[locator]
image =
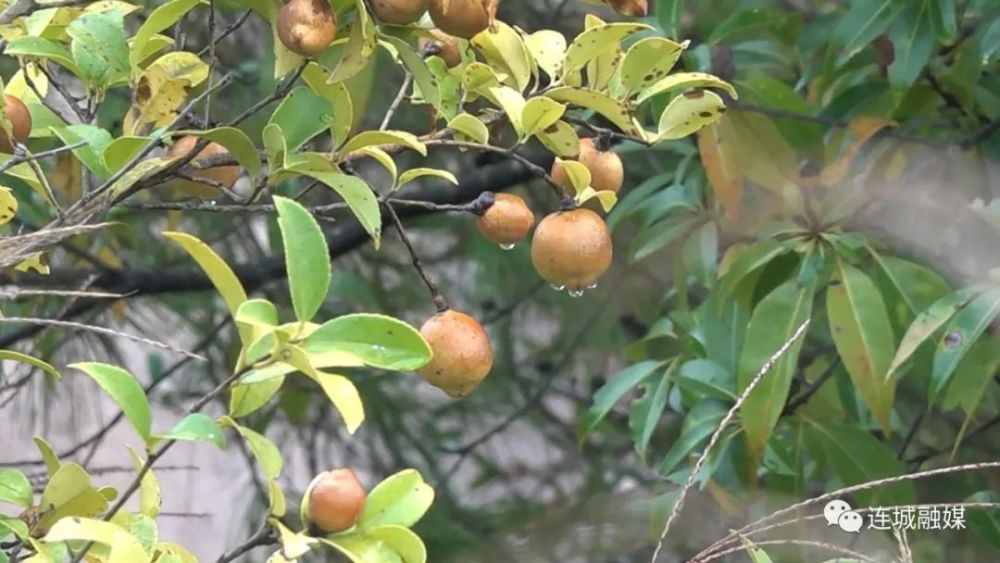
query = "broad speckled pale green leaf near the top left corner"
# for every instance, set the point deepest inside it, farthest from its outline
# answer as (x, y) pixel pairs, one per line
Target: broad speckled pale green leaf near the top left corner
(99, 48)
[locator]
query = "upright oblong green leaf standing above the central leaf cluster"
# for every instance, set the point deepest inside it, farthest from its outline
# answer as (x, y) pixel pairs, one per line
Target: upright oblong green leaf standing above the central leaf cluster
(306, 255)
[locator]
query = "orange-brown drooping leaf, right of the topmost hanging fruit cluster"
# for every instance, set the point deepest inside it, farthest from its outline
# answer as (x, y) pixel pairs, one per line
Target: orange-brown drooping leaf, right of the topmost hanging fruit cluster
(720, 157)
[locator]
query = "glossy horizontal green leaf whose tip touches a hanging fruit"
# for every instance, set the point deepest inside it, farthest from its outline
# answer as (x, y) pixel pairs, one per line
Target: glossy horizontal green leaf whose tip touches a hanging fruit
(380, 341)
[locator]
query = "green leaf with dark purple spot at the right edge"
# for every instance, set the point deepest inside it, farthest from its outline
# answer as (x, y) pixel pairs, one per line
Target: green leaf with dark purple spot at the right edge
(959, 336)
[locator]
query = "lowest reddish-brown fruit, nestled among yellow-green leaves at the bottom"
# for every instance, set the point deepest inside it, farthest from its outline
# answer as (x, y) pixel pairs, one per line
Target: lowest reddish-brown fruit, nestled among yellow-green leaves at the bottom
(336, 500)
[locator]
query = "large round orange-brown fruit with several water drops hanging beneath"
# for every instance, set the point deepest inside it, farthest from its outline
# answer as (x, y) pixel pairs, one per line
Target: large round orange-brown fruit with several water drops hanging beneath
(572, 249)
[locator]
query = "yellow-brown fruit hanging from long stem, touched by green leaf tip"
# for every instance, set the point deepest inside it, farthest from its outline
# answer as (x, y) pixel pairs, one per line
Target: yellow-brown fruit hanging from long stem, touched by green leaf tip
(463, 355)
